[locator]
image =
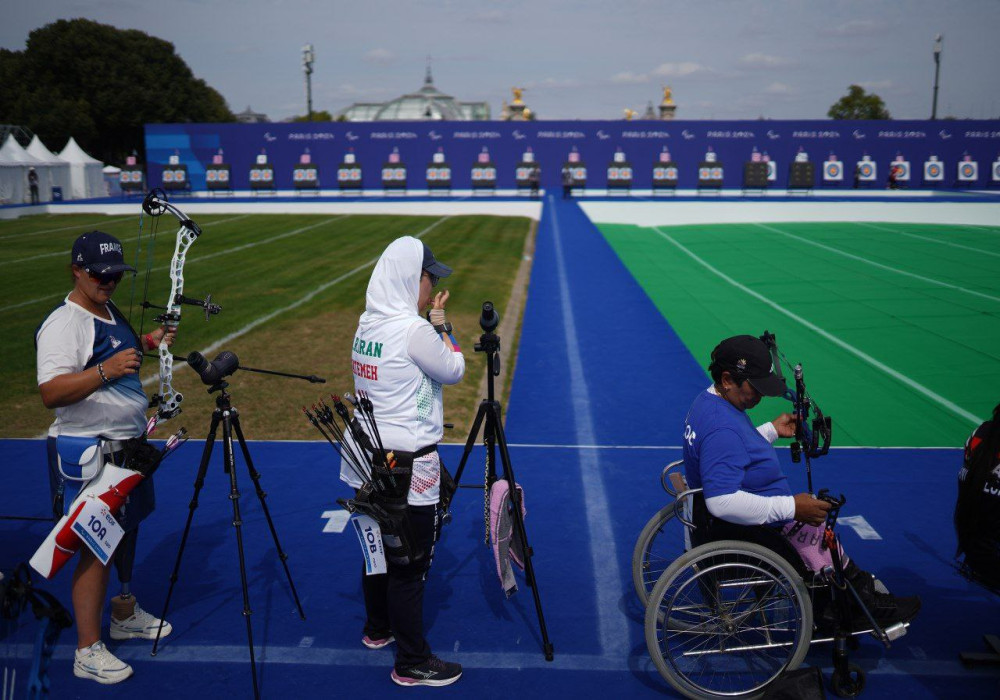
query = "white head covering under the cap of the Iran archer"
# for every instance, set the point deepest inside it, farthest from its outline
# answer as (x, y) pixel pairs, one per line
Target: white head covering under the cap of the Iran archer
(395, 282)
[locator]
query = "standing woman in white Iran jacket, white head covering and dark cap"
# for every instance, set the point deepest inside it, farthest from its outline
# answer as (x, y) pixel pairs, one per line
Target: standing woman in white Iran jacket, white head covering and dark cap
(401, 360)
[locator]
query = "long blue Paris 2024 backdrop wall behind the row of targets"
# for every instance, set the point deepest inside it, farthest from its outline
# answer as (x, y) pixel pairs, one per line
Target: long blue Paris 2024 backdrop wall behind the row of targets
(938, 154)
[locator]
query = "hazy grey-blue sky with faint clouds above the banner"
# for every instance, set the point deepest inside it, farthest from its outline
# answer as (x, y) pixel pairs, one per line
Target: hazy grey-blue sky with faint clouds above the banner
(576, 59)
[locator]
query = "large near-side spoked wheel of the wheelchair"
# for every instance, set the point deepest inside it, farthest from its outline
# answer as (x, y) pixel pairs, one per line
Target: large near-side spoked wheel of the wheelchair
(726, 619)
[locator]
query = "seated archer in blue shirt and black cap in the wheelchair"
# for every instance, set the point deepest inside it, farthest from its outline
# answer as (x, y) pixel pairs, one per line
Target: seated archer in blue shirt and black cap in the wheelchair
(745, 495)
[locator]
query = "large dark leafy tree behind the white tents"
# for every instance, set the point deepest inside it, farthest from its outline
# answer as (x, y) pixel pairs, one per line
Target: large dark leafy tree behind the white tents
(100, 84)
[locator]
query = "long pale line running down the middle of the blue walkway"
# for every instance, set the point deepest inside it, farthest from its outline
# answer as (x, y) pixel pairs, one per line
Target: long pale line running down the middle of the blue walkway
(603, 548)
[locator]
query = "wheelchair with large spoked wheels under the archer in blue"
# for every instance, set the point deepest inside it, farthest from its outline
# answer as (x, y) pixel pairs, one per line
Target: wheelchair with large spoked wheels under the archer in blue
(727, 618)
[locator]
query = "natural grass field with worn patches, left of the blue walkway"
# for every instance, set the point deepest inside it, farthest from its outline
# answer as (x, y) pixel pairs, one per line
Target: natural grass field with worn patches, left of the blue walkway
(291, 288)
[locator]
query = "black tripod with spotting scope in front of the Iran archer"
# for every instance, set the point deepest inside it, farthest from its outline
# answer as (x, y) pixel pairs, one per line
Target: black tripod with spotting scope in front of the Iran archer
(489, 417)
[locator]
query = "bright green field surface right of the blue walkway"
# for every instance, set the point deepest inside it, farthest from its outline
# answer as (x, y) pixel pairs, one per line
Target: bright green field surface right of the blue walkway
(898, 325)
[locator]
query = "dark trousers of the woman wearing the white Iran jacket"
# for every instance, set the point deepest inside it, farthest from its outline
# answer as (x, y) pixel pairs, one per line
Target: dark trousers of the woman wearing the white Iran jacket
(394, 601)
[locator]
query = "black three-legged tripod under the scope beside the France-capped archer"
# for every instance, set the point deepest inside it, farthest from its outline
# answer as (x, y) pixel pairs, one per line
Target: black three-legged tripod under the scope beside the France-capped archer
(229, 417)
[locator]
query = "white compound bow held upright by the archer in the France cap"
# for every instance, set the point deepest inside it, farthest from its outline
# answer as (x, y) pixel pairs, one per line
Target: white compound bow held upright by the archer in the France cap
(167, 400)
